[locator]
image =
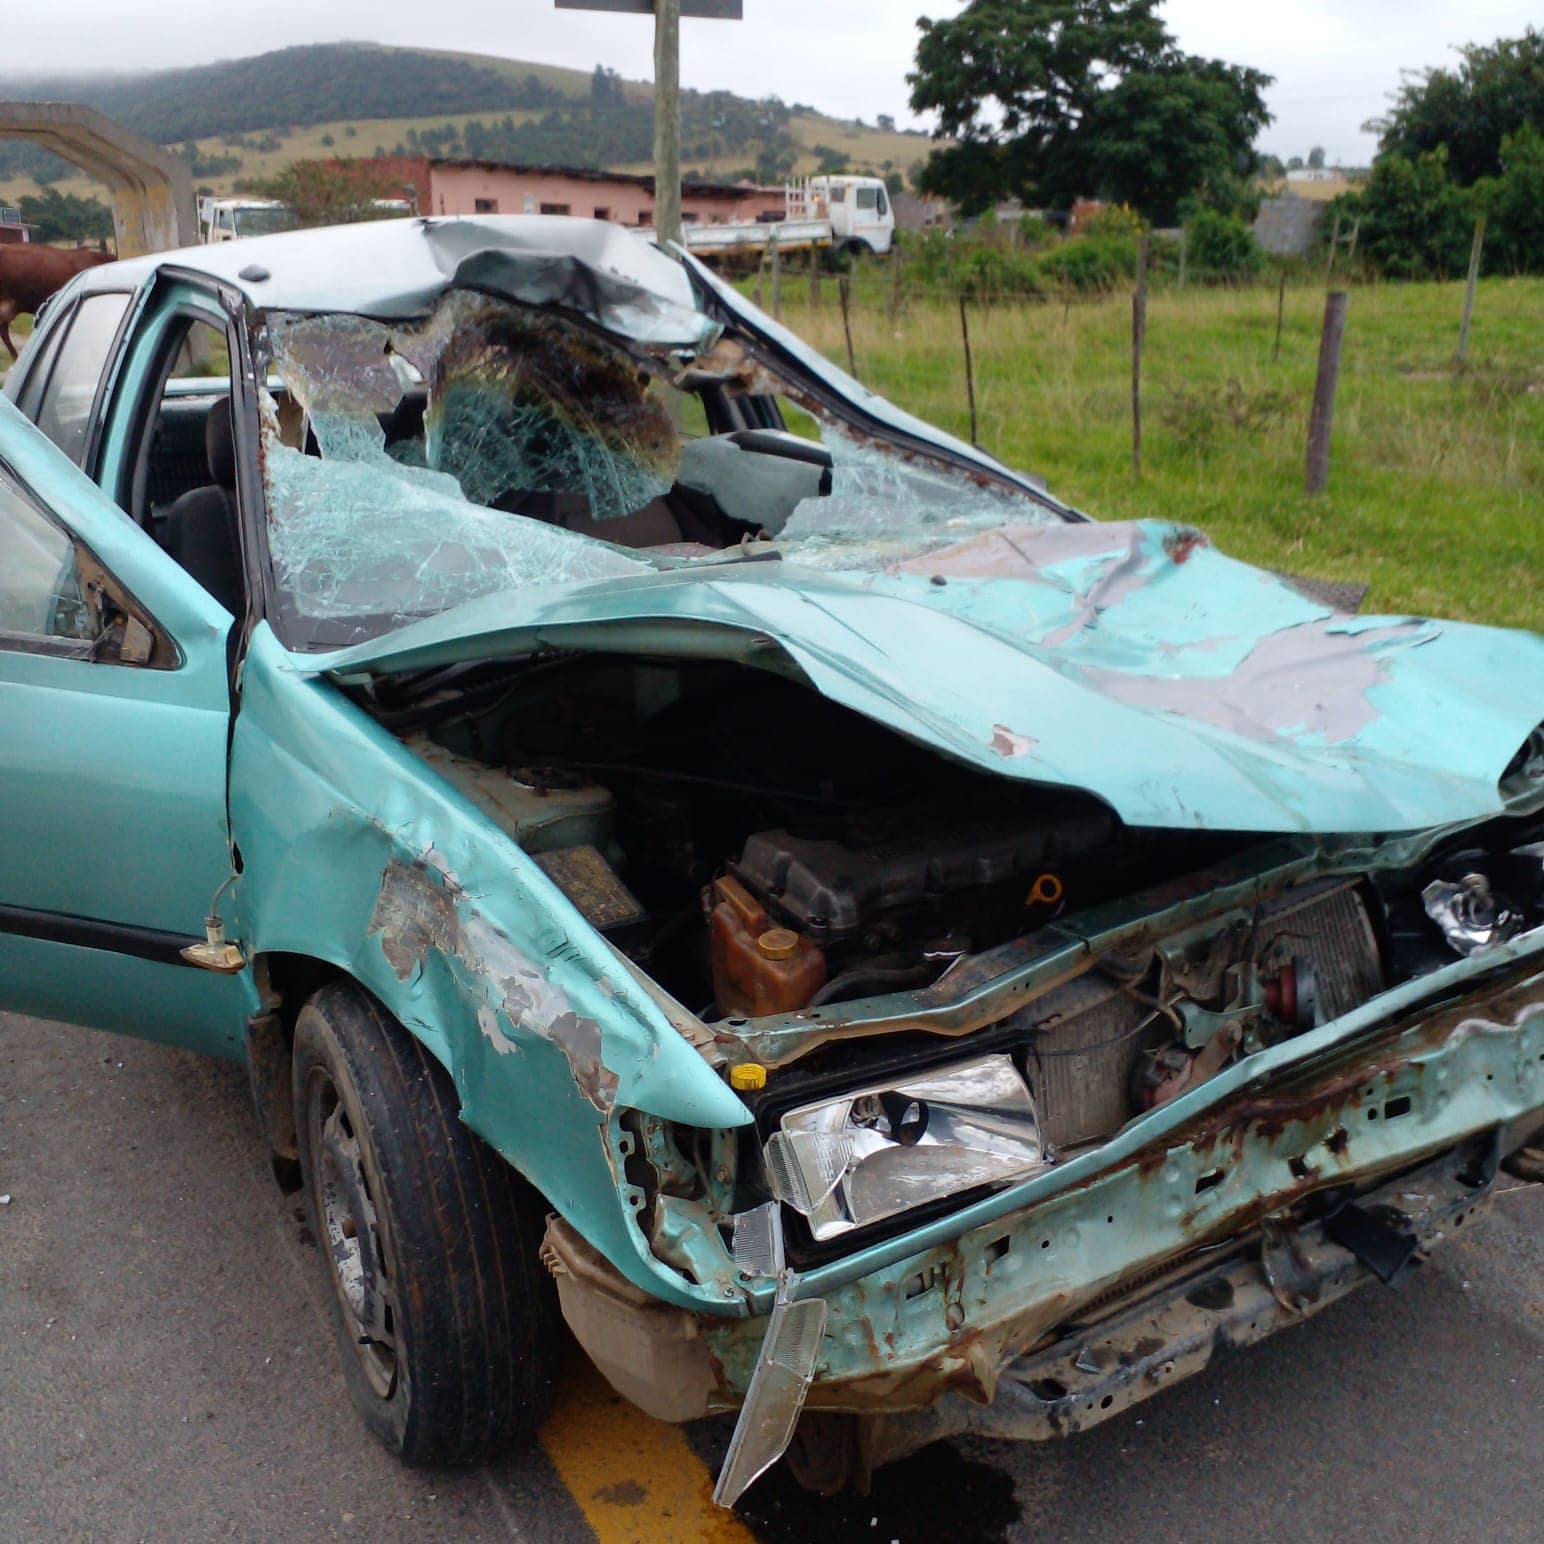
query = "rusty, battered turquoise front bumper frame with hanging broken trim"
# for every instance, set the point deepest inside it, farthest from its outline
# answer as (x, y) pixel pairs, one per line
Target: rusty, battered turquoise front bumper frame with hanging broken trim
(960, 1321)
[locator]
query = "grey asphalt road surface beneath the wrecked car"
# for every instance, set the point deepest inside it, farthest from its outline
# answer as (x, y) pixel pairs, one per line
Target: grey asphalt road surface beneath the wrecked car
(168, 1373)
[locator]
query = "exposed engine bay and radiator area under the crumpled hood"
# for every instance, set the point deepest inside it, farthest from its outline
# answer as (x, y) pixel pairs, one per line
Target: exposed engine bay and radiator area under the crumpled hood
(762, 852)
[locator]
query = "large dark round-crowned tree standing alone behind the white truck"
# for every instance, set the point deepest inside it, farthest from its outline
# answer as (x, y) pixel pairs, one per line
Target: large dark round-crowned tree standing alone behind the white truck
(1057, 100)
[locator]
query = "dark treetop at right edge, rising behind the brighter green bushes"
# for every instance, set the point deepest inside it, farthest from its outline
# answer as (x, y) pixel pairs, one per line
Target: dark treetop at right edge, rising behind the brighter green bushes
(1495, 92)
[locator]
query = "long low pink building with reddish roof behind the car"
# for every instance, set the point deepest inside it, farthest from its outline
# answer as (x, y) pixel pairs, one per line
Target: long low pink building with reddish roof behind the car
(496, 188)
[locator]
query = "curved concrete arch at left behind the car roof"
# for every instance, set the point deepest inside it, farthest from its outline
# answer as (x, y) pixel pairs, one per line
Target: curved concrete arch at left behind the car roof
(152, 189)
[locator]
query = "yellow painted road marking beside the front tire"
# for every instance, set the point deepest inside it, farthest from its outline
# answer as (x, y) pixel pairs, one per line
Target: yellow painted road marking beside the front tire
(637, 1480)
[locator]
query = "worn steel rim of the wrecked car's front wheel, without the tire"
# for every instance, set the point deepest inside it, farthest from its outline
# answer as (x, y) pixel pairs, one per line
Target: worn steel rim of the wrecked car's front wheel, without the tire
(345, 1188)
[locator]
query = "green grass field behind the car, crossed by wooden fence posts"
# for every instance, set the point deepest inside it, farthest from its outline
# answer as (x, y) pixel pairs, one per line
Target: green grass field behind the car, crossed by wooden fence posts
(1437, 486)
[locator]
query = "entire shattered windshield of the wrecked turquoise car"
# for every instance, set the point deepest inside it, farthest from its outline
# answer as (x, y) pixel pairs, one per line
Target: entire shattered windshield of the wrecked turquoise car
(496, 447)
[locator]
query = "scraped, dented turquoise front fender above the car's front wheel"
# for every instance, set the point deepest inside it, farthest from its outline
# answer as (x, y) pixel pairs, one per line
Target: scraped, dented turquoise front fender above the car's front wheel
(357, 855)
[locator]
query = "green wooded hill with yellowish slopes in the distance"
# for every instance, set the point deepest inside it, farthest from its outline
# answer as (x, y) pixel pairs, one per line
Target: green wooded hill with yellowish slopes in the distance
(245, 118)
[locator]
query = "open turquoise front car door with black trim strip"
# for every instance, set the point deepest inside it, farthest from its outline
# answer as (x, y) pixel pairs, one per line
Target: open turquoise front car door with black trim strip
(115, 717)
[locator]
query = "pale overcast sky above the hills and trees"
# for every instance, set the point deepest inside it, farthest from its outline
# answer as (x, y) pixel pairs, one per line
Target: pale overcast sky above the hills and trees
(1335, 61)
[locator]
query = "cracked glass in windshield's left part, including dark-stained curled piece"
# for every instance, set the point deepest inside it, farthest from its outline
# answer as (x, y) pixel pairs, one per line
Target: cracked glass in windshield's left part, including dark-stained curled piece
(436, 462)
